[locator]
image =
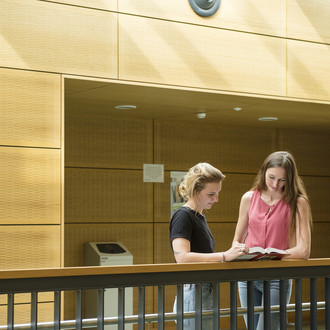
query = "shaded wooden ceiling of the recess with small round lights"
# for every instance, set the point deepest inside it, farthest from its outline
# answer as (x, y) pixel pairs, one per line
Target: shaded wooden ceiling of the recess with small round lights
(164, 103)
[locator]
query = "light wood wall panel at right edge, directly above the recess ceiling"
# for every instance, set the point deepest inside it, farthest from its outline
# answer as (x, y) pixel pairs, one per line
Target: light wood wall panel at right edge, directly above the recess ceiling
(308, 70)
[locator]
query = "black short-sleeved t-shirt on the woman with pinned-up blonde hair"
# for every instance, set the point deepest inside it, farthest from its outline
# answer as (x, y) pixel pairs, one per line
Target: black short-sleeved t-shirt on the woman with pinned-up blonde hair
(188, 224)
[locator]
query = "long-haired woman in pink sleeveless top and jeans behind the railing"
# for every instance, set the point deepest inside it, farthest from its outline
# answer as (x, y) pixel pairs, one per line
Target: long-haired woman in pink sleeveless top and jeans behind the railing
(274, 213)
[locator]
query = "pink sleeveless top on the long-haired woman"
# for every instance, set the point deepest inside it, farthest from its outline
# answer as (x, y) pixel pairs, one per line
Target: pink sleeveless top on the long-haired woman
(268, 225)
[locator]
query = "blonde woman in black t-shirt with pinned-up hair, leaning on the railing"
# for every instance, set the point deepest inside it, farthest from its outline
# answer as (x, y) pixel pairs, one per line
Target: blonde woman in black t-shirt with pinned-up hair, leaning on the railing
(190, 236)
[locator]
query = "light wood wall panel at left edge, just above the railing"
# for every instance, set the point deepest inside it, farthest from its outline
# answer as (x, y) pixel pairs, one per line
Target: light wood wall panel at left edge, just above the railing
(26, 247)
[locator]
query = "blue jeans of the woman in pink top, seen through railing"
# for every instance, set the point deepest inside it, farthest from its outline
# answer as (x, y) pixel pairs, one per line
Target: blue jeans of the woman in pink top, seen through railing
(258, 301)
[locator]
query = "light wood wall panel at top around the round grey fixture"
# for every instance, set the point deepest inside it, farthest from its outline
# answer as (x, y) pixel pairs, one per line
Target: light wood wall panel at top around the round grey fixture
(259, 16)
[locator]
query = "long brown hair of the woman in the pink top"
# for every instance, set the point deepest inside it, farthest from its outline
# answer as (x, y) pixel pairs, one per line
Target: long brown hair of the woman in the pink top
(294, 186)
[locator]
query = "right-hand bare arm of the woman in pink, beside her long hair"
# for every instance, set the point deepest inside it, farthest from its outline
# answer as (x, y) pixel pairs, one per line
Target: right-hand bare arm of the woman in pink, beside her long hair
(303, 232)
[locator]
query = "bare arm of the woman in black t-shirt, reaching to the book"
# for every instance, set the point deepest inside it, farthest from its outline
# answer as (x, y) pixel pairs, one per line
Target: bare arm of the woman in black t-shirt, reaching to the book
(182, 253)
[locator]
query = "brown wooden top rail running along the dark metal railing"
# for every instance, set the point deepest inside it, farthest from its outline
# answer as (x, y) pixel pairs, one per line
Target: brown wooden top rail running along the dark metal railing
(159, 268)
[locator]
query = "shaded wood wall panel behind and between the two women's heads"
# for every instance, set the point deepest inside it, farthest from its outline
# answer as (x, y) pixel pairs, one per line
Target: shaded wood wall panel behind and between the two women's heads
(226, 210)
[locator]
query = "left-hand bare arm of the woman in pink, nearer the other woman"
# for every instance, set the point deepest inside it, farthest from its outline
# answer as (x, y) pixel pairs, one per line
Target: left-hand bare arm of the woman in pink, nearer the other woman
(243, 218)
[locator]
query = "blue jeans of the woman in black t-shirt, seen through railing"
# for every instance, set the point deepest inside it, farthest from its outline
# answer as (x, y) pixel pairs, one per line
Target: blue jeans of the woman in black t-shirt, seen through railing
(189, 305)
